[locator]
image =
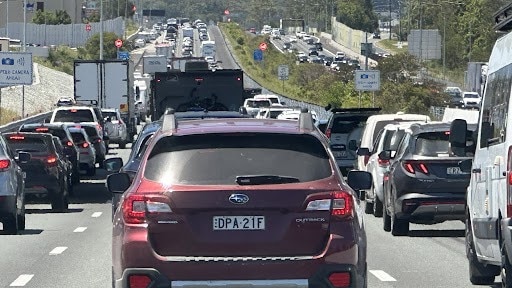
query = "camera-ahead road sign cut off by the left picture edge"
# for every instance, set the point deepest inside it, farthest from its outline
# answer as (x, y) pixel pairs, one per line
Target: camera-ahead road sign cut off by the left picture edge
(15, 68)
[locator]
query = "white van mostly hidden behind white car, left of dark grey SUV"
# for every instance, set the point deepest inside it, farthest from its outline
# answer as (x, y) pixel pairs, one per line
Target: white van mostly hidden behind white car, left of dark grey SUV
(372, 128)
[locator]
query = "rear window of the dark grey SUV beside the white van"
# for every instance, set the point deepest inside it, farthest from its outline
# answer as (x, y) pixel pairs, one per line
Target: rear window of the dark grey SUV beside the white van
(432, 144)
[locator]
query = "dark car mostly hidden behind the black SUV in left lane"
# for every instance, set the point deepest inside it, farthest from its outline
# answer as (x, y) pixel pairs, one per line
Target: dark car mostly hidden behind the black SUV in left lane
(70, 149)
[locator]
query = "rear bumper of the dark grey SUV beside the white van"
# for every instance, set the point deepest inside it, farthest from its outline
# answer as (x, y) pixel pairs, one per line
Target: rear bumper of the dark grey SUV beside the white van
(430, 209)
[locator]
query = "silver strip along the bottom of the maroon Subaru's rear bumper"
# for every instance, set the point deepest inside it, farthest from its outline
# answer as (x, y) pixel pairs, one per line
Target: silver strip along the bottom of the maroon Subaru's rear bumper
(287, 283)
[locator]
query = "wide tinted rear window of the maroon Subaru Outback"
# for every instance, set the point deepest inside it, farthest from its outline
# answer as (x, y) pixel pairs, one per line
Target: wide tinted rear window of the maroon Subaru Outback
(217, 159)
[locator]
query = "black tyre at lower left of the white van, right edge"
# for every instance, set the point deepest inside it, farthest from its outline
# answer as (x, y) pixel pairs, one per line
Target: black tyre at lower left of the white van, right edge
(478, 273)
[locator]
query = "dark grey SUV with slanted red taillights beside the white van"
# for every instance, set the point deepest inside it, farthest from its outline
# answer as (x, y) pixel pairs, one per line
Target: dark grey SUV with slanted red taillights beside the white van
(424, 182)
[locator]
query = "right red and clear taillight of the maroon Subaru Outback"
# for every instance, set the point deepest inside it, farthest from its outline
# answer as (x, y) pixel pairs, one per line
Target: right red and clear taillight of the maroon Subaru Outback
(339, 203)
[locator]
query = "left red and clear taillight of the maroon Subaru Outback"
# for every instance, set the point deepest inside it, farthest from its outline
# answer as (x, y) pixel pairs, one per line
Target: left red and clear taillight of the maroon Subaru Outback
(136, 208)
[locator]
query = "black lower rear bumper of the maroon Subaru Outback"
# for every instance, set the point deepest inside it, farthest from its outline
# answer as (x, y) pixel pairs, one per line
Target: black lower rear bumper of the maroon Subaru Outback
(320, 279)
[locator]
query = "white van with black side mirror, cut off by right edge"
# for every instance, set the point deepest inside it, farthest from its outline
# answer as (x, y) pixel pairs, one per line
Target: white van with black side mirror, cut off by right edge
(489, 194)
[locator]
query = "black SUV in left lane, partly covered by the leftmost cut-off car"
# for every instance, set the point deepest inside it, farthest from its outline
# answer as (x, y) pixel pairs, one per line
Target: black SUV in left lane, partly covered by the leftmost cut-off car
(46, 170)
